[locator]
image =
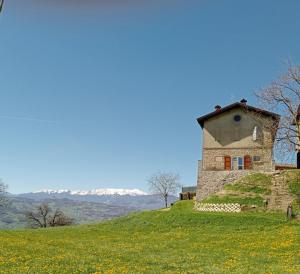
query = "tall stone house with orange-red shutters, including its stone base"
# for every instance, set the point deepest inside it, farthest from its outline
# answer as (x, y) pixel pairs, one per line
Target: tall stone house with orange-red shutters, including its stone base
(237, 139)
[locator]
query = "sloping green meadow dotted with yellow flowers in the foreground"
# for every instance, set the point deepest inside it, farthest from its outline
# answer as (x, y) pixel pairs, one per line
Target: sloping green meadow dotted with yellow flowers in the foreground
(176, 241)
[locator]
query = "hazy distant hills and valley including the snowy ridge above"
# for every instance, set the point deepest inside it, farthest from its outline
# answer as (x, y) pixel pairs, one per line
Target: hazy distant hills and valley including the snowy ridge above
(83, 206)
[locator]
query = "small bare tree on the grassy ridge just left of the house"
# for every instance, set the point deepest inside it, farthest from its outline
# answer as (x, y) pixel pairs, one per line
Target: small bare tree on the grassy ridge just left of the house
(164, 184)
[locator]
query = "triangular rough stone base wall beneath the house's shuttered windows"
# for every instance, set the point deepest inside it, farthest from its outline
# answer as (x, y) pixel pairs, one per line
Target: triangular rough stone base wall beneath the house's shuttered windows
(209, 182)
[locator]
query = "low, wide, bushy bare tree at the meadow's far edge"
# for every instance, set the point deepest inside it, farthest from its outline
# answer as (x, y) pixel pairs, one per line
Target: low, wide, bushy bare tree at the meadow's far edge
(43, 217)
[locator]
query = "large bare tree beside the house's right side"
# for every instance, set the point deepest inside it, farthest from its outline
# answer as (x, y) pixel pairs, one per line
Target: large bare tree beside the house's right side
(283, 97)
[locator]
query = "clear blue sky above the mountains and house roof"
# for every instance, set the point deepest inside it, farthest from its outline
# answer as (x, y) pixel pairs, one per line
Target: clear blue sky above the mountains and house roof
(104, 93)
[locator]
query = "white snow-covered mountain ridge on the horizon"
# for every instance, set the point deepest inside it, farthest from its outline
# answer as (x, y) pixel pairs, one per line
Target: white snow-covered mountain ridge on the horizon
(98, 192)
